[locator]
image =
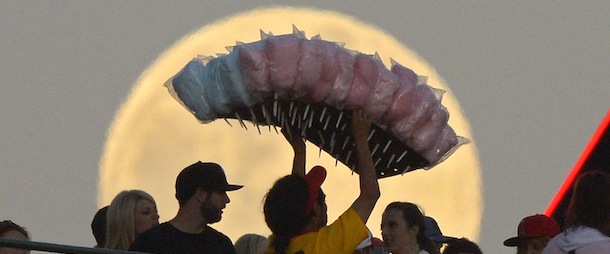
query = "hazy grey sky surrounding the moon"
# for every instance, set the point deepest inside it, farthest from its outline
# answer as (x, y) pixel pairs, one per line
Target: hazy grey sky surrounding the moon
(531, 77)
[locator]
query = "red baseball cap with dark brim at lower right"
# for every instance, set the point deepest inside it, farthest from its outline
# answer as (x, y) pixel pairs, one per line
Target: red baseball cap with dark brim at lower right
(534, 226)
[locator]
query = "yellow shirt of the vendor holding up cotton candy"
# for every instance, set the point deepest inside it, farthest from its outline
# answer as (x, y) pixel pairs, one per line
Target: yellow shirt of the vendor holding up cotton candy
(342, 236)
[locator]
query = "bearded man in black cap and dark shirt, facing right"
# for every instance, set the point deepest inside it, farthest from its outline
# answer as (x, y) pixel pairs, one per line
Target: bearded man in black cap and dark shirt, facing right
(201, 191)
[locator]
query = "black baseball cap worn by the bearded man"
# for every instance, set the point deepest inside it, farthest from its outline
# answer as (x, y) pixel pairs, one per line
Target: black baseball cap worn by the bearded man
(207, 175)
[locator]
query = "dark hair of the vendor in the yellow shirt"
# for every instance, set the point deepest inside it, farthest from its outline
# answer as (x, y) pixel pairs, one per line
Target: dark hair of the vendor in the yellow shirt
(284, 210)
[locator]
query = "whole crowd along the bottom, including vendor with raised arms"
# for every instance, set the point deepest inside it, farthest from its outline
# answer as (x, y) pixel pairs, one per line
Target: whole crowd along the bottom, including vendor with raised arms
(295, 211)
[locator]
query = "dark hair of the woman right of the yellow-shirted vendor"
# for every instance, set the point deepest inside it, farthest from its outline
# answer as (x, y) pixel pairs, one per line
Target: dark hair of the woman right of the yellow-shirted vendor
(414, 217)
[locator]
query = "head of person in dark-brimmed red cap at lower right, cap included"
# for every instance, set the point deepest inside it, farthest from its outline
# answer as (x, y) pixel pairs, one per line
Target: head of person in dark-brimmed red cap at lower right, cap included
(533, 233)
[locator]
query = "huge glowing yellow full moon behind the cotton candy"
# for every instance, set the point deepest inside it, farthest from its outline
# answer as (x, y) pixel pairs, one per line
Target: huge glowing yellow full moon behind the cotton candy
(153, 137)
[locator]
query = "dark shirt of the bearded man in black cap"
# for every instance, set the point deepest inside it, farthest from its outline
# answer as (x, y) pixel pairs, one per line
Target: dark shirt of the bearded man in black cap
(166, 239)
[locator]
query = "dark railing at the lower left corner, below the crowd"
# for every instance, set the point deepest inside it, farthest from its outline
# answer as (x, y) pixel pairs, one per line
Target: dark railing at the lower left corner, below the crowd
(58, 248)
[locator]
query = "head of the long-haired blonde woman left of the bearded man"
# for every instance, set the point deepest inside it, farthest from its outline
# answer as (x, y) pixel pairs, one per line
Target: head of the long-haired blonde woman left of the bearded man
(130, 213)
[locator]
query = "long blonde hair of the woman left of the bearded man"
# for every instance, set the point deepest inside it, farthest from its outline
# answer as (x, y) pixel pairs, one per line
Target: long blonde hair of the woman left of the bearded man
(120, 231)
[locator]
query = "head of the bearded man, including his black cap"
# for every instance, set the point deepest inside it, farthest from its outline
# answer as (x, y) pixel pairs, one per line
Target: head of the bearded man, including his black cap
(205, 185)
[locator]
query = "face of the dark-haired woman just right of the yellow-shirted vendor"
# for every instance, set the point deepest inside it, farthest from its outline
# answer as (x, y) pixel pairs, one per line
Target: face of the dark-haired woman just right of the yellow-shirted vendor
(397, 235)
